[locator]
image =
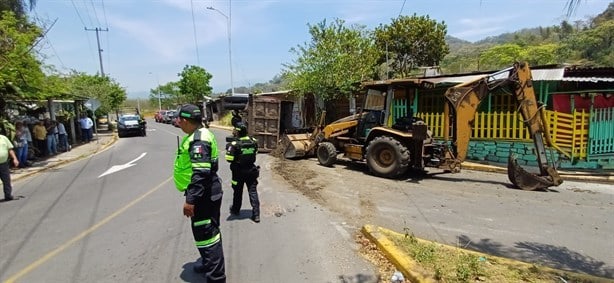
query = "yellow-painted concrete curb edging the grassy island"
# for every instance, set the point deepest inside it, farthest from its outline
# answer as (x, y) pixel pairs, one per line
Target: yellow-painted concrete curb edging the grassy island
(408, 266)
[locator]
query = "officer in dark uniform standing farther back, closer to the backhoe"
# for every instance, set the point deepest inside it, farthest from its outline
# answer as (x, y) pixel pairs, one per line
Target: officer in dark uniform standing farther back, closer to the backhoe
(241, 153)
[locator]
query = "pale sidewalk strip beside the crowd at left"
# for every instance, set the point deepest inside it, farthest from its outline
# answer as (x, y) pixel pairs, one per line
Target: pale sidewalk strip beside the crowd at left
(80, 150)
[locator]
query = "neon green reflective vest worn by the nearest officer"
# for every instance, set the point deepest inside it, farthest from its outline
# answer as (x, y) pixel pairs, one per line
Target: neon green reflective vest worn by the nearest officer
(182, 173)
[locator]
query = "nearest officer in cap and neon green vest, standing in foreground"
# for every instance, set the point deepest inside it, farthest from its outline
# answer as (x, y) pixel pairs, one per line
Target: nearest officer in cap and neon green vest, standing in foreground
(195, 175)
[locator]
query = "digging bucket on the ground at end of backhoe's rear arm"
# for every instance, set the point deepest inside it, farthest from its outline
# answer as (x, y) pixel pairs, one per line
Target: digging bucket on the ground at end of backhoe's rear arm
(528, 181)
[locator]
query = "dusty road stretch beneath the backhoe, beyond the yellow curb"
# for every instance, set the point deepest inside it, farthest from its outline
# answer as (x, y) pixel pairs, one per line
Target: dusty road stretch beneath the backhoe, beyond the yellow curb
(569, 227)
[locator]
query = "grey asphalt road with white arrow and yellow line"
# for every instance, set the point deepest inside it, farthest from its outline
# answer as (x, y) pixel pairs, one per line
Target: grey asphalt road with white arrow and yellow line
(116, 217)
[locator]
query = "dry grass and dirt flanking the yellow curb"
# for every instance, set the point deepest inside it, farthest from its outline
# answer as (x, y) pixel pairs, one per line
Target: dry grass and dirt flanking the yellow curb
(442, 263)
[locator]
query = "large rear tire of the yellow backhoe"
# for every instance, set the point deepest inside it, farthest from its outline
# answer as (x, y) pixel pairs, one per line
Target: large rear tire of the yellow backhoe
(387, 157)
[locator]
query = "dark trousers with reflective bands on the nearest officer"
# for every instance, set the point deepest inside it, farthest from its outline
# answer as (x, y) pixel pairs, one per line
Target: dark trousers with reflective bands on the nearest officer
(212, 254)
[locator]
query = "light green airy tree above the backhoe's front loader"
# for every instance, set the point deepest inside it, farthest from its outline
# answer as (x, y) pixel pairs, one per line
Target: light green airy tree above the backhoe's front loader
(331, 65)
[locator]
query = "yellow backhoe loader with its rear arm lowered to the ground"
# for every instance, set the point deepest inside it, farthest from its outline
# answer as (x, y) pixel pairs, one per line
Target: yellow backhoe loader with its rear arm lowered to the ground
(391, 149)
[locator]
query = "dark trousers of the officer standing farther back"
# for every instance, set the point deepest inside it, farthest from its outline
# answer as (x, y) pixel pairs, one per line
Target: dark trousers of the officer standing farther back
(247, 177)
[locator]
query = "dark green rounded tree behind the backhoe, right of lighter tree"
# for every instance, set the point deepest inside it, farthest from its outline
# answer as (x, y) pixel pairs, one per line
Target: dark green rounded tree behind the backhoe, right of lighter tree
(412, 42)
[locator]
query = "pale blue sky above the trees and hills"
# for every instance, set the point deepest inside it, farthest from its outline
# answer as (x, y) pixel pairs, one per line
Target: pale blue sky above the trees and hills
(150, 41)
